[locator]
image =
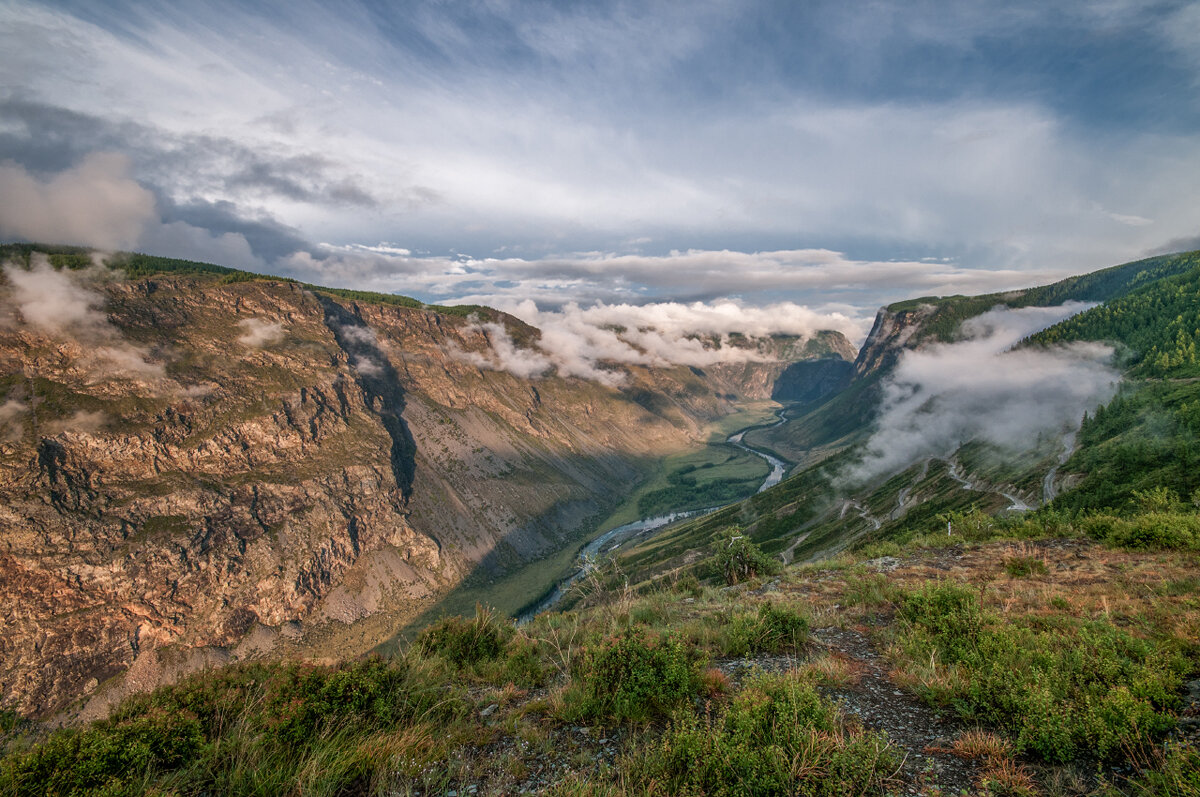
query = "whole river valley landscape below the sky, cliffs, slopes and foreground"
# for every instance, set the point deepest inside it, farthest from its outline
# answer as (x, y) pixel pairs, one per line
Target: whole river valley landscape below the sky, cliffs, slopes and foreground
(346, 517)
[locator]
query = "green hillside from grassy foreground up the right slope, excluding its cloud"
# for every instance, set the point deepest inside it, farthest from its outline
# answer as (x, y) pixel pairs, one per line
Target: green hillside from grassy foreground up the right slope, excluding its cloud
(909, 637)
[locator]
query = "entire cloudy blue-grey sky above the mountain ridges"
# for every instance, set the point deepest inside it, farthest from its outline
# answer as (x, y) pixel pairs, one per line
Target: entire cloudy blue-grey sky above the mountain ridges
(827, 154)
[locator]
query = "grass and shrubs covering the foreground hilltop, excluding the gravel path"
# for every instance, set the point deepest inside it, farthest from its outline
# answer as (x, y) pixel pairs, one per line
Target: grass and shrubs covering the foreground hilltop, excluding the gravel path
(1072, 667)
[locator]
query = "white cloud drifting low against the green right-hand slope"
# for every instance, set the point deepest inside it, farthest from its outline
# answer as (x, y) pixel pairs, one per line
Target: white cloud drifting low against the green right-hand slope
(983, 389)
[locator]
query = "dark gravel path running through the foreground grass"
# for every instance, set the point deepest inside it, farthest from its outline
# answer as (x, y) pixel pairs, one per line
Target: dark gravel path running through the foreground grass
(916, 730)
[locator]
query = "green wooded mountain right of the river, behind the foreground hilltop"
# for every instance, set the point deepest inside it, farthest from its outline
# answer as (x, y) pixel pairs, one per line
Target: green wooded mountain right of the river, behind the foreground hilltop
(1144, 440)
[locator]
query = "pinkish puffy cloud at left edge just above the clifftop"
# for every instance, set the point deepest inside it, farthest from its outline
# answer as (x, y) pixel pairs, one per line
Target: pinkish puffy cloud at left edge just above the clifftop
(93, 205)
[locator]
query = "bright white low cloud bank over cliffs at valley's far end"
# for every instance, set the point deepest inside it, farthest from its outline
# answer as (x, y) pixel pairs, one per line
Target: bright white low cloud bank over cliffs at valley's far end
(587, 341)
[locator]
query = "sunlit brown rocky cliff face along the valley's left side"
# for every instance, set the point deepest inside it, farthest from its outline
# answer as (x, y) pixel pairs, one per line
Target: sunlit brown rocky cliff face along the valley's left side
(194, 465)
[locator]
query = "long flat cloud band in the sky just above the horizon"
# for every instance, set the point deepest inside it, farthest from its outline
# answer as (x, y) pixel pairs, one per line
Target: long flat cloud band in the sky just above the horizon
(823, 277)
